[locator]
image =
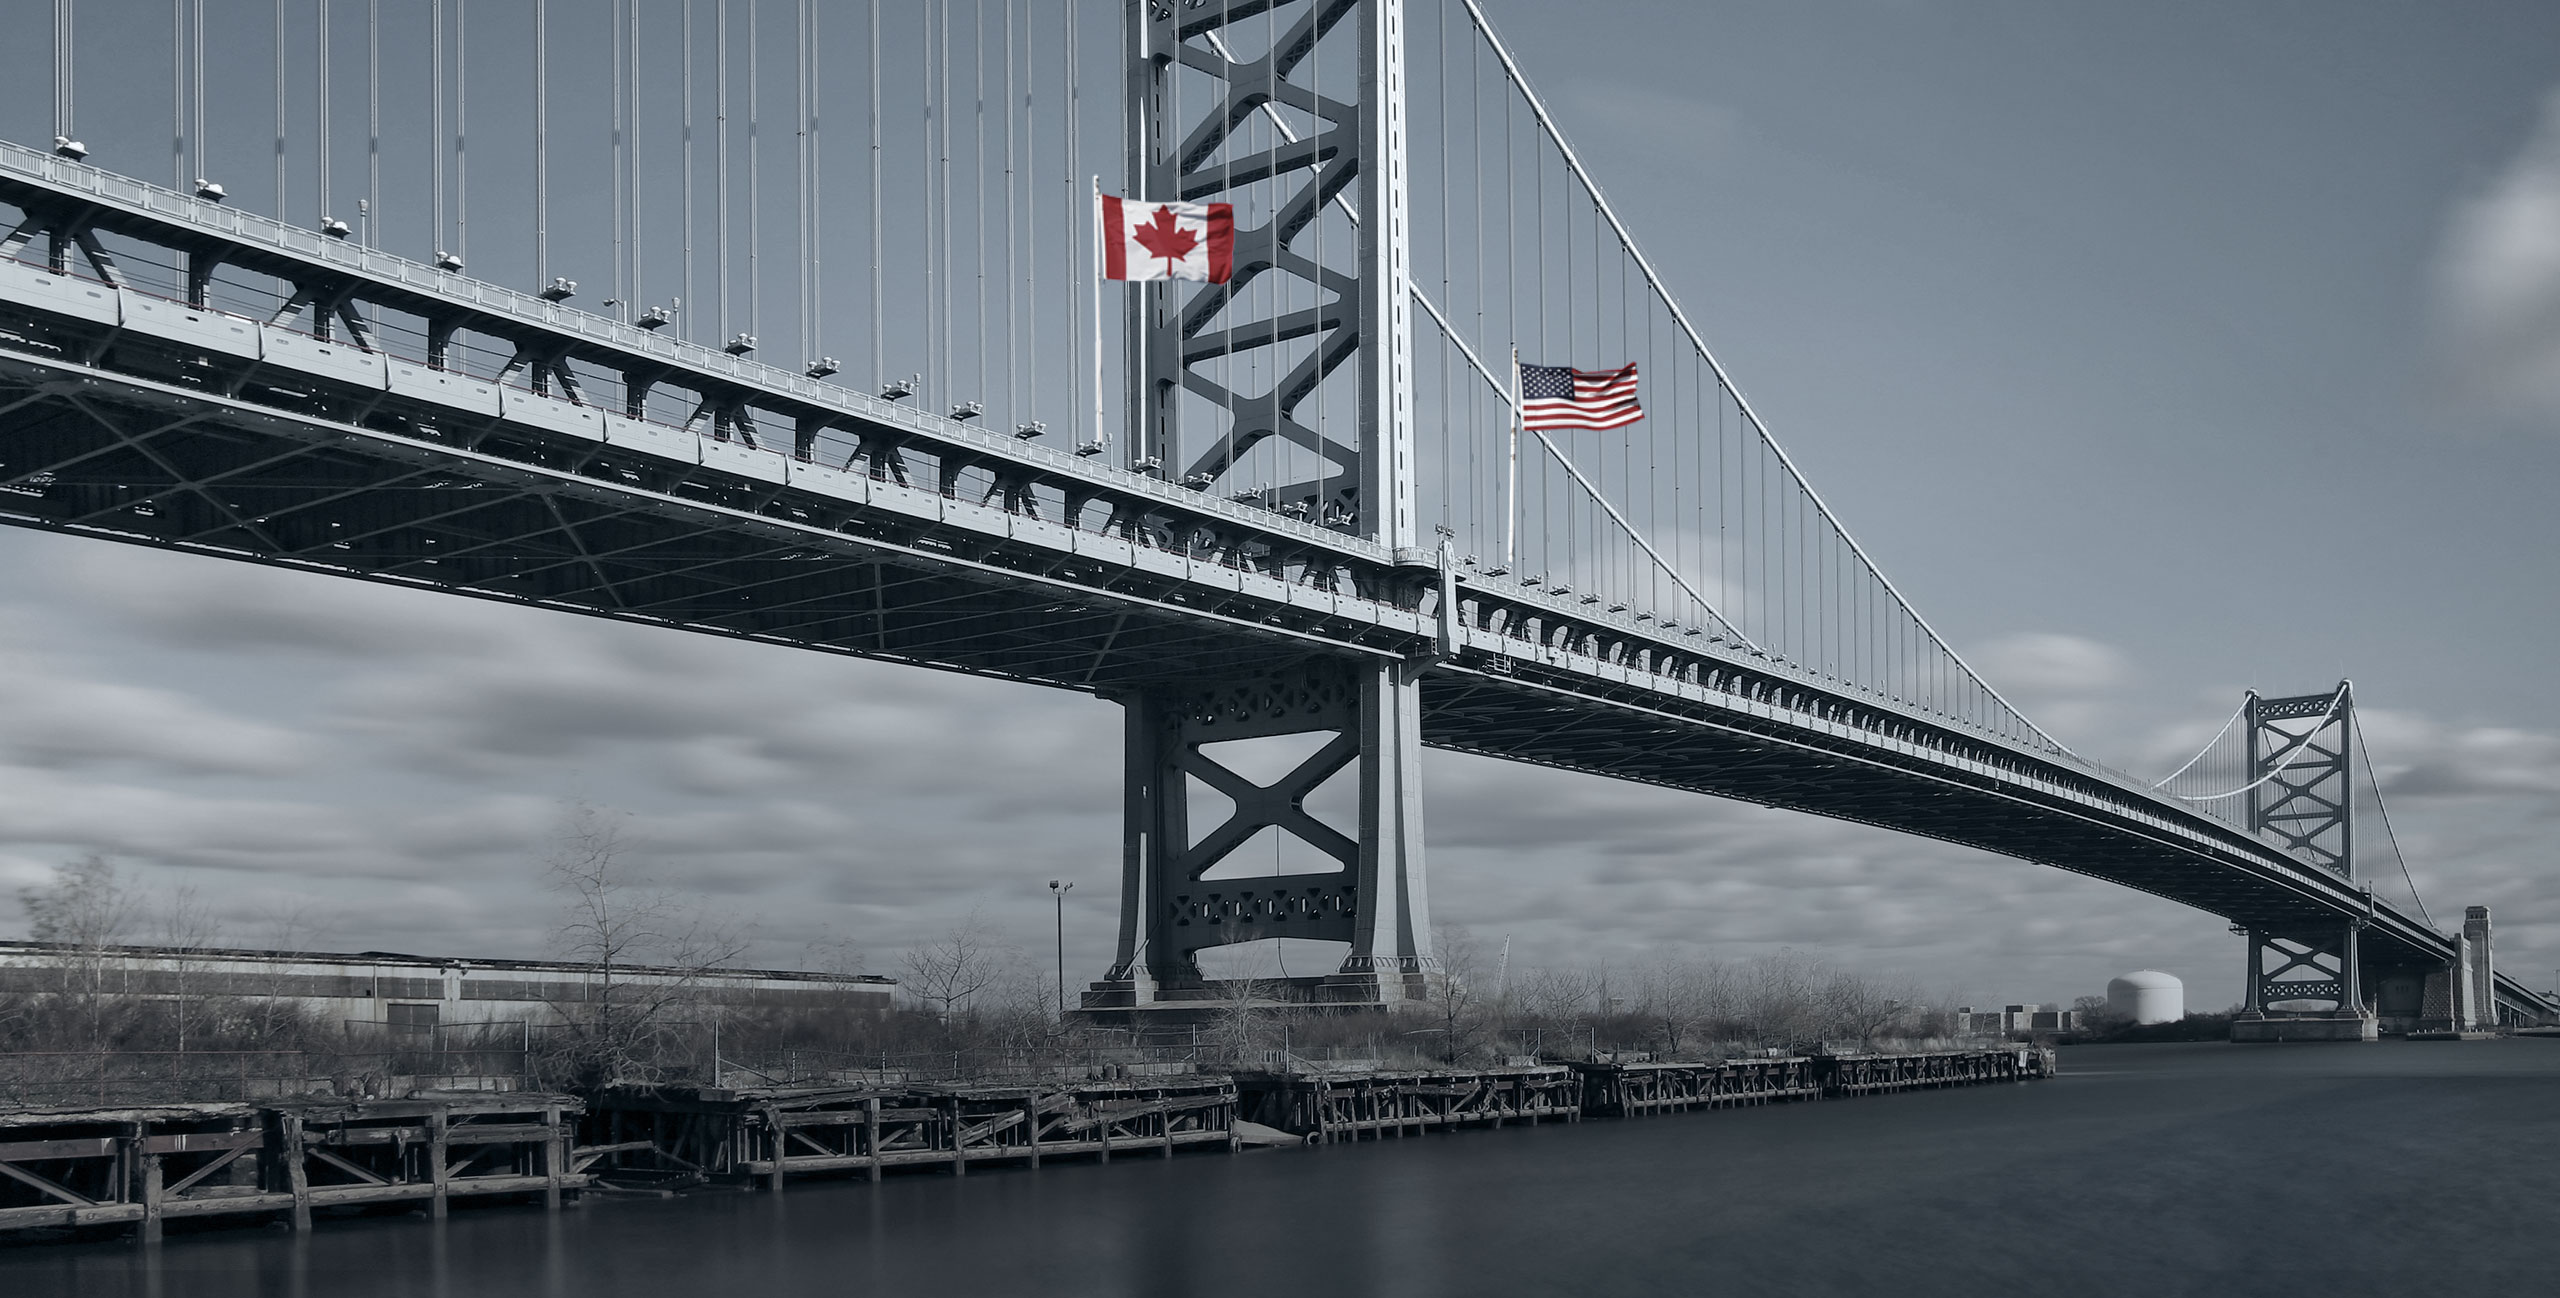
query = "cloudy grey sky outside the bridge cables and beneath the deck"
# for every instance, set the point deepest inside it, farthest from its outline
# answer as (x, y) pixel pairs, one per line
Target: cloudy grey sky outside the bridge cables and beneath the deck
(2159, 352)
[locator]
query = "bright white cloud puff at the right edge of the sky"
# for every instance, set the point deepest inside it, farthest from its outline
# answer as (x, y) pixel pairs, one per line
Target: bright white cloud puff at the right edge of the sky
(2500, 283)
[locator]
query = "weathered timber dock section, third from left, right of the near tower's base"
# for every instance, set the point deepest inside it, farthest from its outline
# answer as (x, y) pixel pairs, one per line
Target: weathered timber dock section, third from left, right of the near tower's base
(1330, 1107)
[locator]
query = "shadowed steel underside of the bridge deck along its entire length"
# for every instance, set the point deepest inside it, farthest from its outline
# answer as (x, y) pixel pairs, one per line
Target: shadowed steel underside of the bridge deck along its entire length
(355, 485)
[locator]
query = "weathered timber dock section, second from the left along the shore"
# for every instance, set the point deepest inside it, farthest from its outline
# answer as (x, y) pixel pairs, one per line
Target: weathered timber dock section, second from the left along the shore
(769, 1133)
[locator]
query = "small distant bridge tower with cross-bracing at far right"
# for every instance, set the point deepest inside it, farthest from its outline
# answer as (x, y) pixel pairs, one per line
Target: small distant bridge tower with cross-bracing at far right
(2303, 797)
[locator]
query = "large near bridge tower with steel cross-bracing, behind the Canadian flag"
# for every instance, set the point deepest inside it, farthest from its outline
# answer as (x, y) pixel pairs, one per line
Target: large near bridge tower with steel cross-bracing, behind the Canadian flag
(1222, 111)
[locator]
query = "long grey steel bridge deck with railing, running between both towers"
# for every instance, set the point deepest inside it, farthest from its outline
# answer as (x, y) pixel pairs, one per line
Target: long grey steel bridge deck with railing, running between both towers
(897, 536)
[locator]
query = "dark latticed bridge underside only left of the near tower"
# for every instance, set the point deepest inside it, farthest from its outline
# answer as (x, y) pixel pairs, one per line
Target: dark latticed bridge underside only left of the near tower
(211, 477)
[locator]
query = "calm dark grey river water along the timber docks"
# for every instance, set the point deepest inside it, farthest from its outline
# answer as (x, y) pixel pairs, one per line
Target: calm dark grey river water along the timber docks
(2144, 1171)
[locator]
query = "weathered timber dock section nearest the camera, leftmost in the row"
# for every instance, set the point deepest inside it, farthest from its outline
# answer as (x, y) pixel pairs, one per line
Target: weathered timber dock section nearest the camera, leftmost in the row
(283, 1158)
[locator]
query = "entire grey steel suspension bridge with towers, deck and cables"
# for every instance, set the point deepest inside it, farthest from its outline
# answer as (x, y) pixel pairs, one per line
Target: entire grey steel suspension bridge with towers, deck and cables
(787, 321)
